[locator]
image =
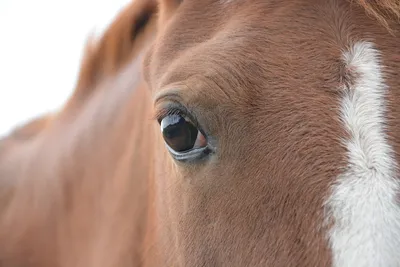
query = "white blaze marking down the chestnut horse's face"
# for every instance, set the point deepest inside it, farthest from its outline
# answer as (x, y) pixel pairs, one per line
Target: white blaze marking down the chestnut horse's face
(363, 206)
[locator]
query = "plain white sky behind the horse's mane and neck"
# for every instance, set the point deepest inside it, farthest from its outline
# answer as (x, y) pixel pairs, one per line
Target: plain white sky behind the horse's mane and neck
(41, 44)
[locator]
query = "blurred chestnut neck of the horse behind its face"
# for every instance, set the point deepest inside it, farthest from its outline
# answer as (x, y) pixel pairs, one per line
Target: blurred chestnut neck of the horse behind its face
(85, 181)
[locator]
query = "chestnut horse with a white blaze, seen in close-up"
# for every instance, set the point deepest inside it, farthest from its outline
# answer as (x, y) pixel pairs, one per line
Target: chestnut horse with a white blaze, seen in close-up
(218, 133)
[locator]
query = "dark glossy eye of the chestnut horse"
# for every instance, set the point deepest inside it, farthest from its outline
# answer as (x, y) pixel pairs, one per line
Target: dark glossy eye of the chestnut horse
(180, 134)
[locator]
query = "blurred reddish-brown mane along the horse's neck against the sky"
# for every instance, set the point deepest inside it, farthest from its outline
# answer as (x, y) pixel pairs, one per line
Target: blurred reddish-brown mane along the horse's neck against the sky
(121, 42)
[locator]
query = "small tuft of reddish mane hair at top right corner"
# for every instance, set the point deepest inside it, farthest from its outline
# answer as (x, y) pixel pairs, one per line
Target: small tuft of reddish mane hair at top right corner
(382, 10)
